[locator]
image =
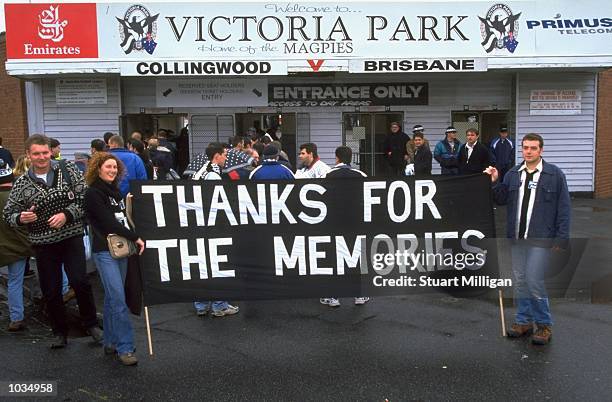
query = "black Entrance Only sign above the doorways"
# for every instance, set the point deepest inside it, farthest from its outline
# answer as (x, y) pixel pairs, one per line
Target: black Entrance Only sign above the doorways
(350, 94)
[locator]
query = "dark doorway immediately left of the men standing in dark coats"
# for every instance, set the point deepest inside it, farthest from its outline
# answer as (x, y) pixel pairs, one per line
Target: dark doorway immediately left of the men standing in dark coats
(365, 134)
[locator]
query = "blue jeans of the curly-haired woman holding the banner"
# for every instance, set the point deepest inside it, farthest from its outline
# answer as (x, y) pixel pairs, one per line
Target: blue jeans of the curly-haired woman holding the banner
(118, 330)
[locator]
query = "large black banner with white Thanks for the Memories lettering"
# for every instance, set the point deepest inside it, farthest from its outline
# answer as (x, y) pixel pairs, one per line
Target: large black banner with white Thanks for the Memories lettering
(212, 240)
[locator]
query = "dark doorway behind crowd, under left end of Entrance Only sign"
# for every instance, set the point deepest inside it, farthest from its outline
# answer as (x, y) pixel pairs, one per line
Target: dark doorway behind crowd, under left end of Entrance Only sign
(284, 124)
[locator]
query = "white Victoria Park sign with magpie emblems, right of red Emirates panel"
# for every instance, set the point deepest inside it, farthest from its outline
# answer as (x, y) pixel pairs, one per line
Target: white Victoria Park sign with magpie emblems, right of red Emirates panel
(313, 31)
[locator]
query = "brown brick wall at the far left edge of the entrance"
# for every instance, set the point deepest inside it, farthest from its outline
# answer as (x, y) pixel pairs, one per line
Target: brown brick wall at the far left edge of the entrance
(13, 111)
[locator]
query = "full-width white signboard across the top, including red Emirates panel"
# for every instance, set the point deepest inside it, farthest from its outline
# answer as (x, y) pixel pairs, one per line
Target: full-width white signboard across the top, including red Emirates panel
(160, 37)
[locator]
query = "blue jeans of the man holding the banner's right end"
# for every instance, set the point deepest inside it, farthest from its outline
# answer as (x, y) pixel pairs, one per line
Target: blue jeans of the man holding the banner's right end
(529, 265)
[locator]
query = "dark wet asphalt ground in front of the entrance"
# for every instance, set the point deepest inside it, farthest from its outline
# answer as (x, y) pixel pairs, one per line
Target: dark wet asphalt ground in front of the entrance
(425, 347)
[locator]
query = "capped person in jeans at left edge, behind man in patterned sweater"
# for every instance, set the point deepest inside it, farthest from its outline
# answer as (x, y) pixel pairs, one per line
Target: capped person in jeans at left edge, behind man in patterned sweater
(15, 250)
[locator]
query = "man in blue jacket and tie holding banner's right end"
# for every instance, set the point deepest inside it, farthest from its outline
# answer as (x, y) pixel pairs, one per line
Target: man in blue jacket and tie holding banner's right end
(538, 219)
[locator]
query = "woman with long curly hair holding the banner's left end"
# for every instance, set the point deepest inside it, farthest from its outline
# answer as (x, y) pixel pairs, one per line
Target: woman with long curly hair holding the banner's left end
(106, 214)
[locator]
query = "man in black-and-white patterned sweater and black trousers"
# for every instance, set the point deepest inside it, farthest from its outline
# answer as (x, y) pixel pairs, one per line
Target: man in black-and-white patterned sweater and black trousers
(48, 201)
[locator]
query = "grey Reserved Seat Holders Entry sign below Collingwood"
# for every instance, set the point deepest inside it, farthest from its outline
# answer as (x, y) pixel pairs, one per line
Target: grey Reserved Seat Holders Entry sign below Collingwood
(211, 92)
